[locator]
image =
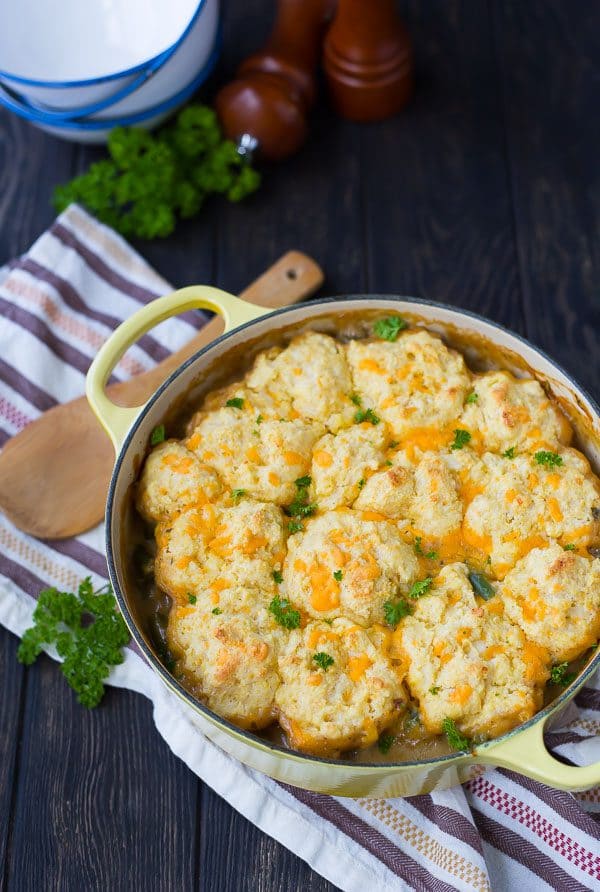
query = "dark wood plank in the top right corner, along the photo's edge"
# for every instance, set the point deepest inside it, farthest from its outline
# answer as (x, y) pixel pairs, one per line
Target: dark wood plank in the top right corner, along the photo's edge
(548, 54)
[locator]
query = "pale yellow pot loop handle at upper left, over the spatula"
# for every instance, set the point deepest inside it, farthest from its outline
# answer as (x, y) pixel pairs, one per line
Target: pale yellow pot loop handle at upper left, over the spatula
(117, 420)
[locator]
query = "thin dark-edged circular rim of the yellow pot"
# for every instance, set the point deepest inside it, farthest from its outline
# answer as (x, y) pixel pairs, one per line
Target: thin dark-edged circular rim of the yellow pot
(214, 717)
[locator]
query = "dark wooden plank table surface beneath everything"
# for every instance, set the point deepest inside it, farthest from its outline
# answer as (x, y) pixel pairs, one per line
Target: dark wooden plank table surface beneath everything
(485, 194)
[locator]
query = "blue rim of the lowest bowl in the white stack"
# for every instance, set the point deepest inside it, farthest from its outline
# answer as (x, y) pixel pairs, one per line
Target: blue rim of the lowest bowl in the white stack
(42, 118)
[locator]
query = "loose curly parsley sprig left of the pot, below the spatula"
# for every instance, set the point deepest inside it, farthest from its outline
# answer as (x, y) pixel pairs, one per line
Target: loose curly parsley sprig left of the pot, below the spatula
(89, 634)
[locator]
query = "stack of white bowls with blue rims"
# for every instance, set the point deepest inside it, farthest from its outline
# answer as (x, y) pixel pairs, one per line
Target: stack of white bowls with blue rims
(78, 70)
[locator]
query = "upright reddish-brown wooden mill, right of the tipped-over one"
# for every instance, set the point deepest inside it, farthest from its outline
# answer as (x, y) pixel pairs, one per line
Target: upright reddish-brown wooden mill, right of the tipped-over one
(368, 60)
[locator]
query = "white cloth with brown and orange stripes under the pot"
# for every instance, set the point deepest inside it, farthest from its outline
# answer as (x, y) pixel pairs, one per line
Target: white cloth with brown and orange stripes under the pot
(501, 831)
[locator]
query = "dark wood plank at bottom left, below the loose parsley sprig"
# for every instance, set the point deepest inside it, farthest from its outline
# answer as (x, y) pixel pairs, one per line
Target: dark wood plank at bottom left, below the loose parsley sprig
(101, 802)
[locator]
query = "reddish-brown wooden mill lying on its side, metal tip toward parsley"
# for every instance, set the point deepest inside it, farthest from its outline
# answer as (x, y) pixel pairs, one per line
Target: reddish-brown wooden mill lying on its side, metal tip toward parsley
(266, 107)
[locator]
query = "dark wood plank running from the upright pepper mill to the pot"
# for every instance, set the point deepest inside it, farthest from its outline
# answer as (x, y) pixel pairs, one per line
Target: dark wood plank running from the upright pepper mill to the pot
(437, 203)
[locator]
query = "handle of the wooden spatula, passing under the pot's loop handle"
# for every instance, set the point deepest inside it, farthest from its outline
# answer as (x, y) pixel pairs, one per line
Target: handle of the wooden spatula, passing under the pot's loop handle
(291, 278)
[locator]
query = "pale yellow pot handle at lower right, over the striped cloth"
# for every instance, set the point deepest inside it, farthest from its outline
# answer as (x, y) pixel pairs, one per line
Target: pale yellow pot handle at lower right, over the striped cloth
(526, 753)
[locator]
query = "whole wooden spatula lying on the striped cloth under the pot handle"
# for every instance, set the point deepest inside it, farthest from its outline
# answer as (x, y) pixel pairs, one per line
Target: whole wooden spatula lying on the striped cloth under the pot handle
(54, 474)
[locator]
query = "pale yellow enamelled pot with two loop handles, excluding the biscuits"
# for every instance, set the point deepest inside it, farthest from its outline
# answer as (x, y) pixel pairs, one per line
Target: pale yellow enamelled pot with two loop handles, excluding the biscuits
(246, 325)
